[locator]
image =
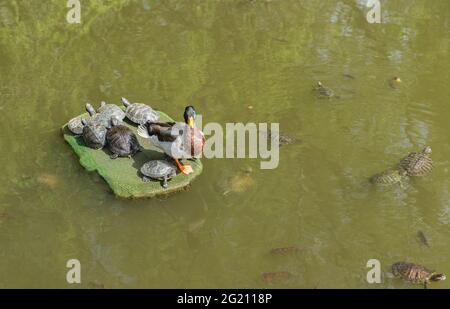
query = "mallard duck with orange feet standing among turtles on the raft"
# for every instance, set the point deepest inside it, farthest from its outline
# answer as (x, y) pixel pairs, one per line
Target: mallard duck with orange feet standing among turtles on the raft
(177, 139)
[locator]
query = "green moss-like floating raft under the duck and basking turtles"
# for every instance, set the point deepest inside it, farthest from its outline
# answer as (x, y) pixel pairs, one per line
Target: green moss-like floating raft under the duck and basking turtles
(122, 174)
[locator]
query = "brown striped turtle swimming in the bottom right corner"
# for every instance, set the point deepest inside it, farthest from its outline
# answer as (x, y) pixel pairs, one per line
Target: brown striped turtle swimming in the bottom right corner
(415, 273)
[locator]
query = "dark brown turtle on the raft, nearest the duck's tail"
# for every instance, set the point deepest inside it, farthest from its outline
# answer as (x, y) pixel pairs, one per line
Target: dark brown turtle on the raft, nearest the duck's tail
(122, 142)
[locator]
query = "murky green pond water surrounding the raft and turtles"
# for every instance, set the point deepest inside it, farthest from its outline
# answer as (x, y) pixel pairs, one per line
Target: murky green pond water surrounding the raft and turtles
(223, 56)
